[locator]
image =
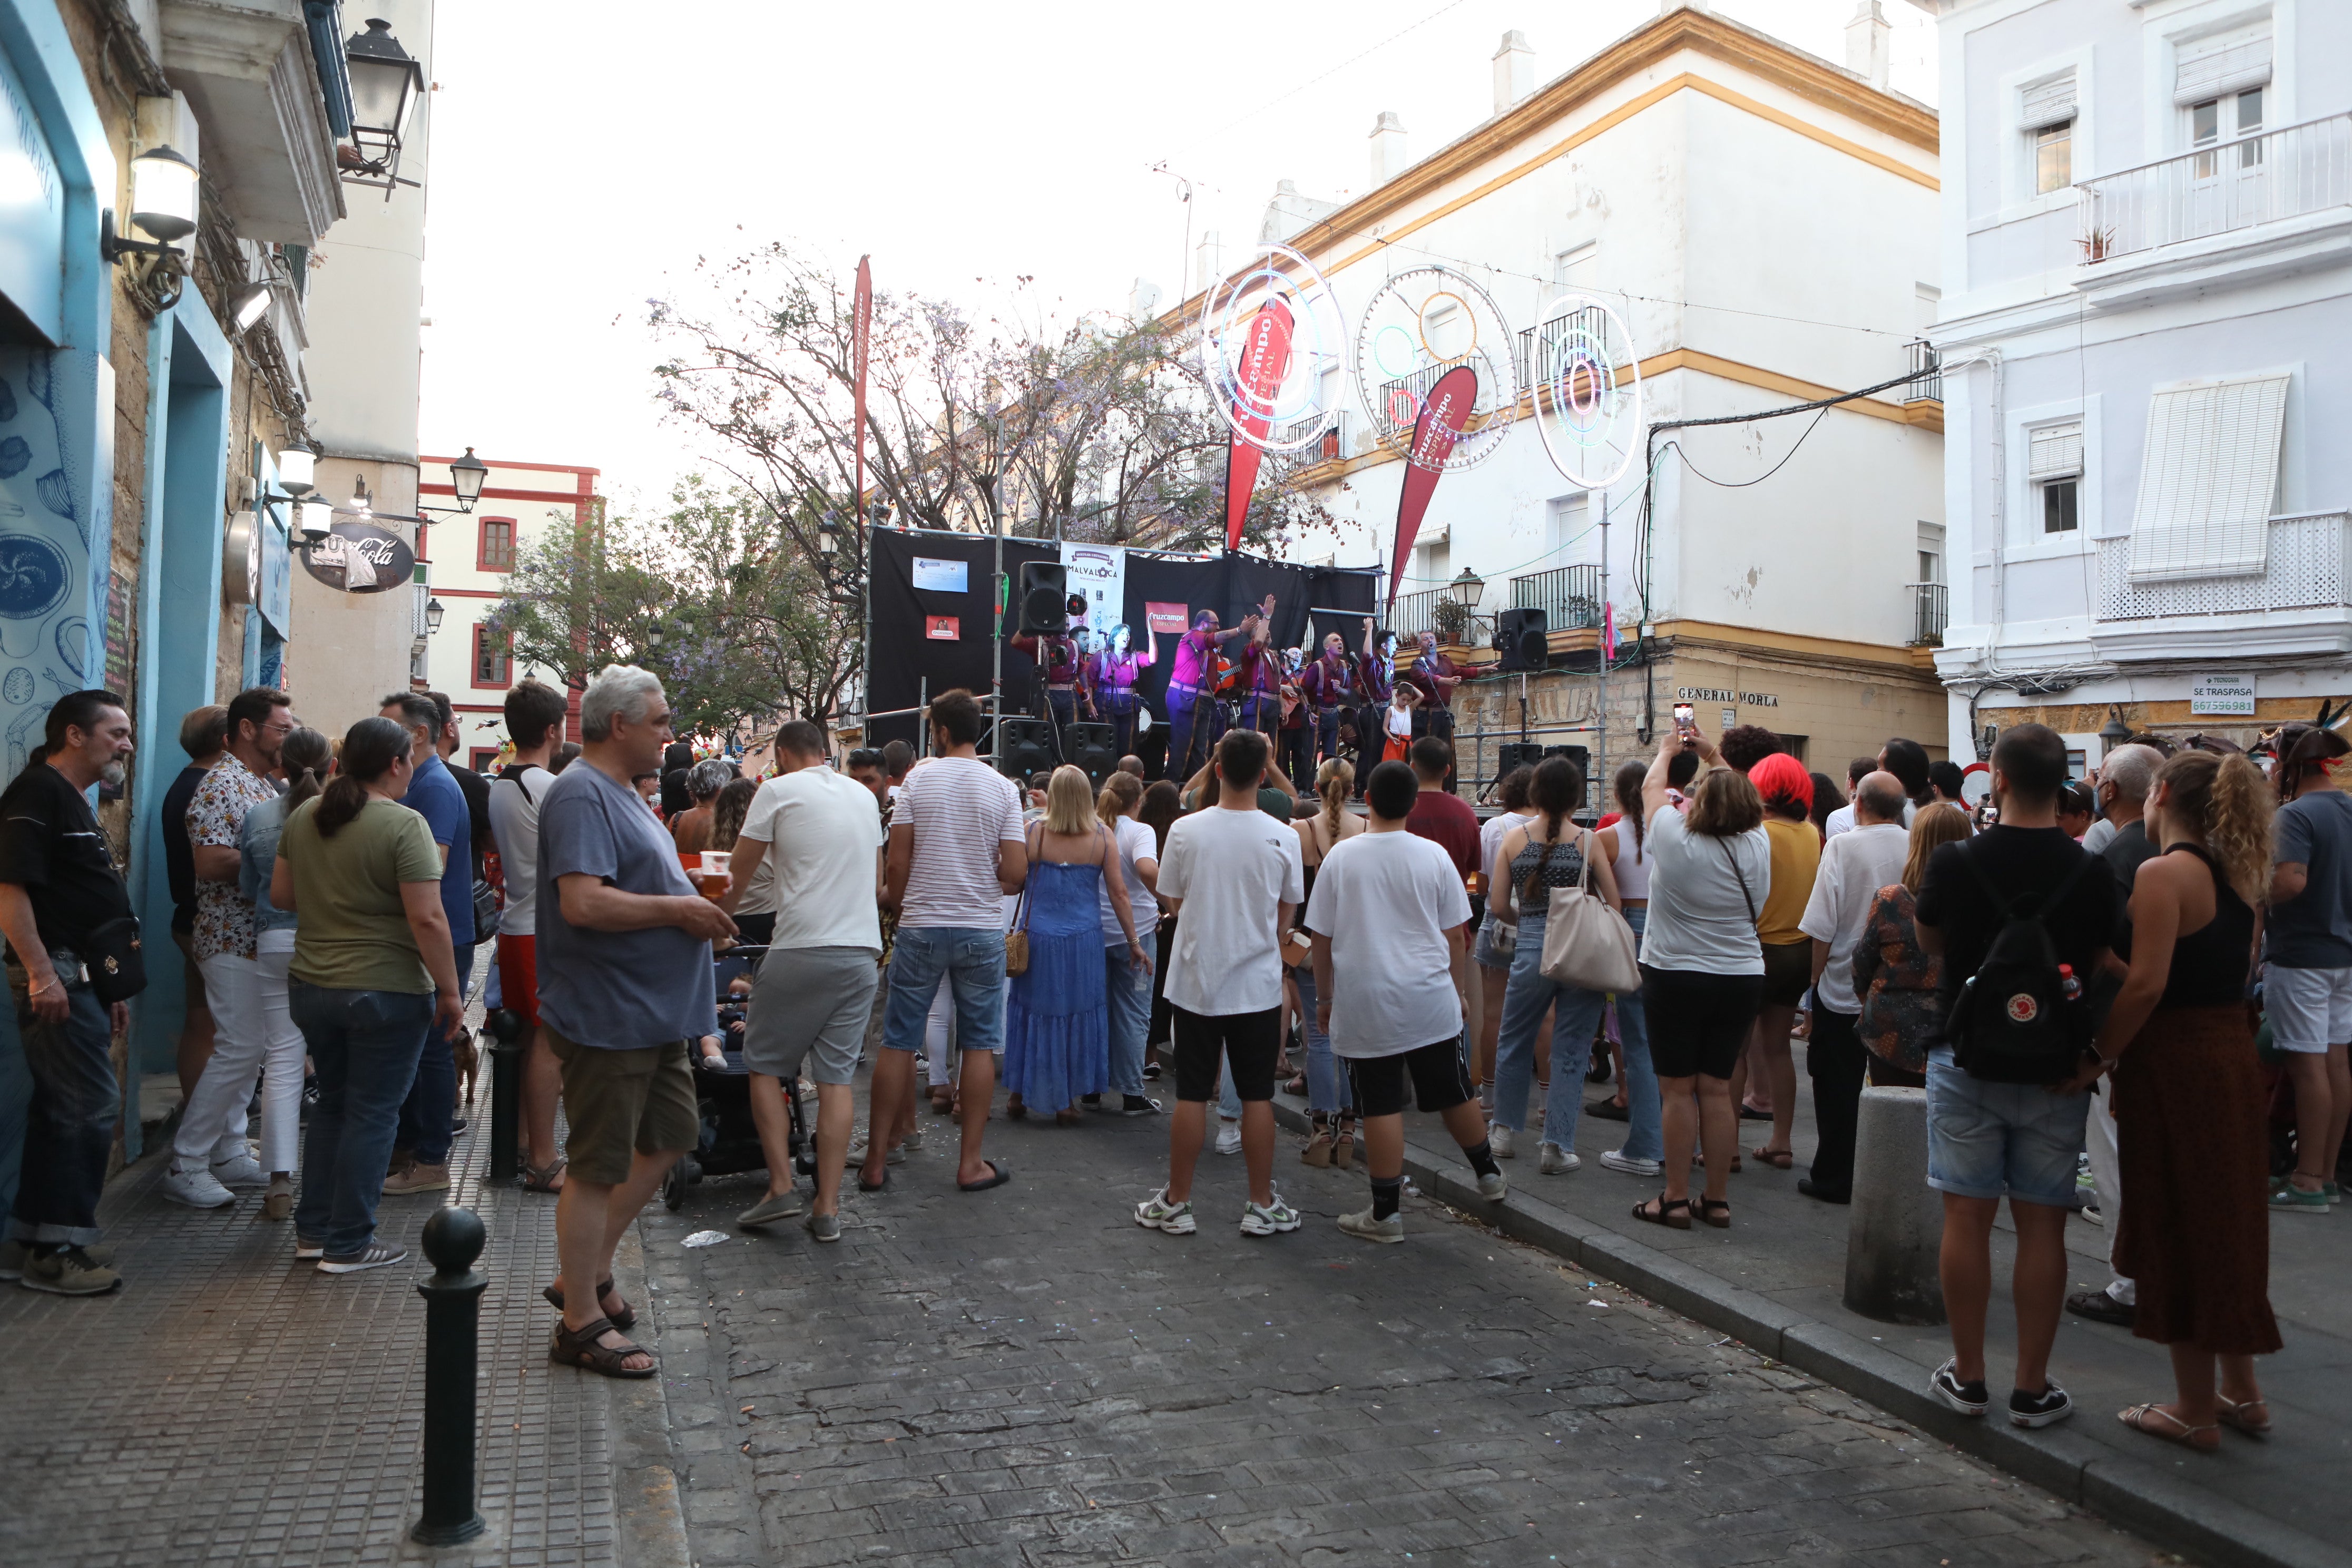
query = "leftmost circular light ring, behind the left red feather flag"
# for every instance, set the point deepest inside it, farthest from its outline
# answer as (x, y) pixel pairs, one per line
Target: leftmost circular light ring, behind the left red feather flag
(1318, 342)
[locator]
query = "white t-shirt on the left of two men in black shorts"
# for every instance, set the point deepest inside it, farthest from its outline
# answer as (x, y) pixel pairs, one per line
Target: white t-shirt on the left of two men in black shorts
(1234, 871)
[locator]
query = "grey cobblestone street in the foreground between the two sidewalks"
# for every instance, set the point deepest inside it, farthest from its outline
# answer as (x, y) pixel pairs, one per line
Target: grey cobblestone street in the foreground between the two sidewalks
(1031, 1379)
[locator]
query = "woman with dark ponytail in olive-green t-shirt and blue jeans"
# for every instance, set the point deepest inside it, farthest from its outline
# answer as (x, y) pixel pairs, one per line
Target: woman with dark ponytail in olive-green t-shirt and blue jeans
(373, 972)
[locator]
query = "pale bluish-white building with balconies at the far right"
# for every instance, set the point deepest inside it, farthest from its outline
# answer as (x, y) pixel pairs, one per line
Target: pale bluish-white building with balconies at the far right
(2146, 321)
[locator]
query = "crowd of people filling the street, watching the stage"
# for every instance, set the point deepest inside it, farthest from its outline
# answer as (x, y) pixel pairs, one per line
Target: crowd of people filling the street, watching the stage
(2069, 972)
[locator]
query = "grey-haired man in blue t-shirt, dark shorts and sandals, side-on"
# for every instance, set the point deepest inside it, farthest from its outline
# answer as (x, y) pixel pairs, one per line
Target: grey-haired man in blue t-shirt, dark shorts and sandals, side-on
(624, 984)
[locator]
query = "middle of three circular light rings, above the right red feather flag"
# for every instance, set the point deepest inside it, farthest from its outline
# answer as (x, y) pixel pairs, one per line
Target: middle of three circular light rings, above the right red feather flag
(1396, 366)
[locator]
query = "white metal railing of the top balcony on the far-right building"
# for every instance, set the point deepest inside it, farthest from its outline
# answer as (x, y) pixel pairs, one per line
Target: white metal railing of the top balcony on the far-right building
(2219, 189)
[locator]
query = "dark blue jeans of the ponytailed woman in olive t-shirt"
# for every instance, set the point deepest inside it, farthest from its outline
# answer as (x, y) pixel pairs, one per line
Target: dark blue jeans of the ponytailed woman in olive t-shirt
(366, 1050)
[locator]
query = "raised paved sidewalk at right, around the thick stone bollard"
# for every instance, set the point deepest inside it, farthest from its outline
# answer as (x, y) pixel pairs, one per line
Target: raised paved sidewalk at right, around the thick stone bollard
(1777, 1280)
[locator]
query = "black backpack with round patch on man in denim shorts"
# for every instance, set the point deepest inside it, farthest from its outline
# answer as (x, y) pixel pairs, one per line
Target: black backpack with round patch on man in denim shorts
(2014, 1021)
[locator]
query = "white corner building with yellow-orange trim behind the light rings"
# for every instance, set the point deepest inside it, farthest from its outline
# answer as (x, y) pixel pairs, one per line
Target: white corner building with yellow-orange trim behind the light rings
(1763, 222)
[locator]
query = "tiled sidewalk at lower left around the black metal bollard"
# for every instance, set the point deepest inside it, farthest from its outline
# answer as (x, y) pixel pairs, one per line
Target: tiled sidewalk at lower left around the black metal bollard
(236, 1407)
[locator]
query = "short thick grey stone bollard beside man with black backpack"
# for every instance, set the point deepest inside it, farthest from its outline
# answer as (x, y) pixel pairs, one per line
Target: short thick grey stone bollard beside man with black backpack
(1897, 1219)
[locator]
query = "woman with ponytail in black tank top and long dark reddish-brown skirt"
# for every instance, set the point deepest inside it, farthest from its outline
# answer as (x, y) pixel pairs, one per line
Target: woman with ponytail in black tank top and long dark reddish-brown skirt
(2189, 1099)
